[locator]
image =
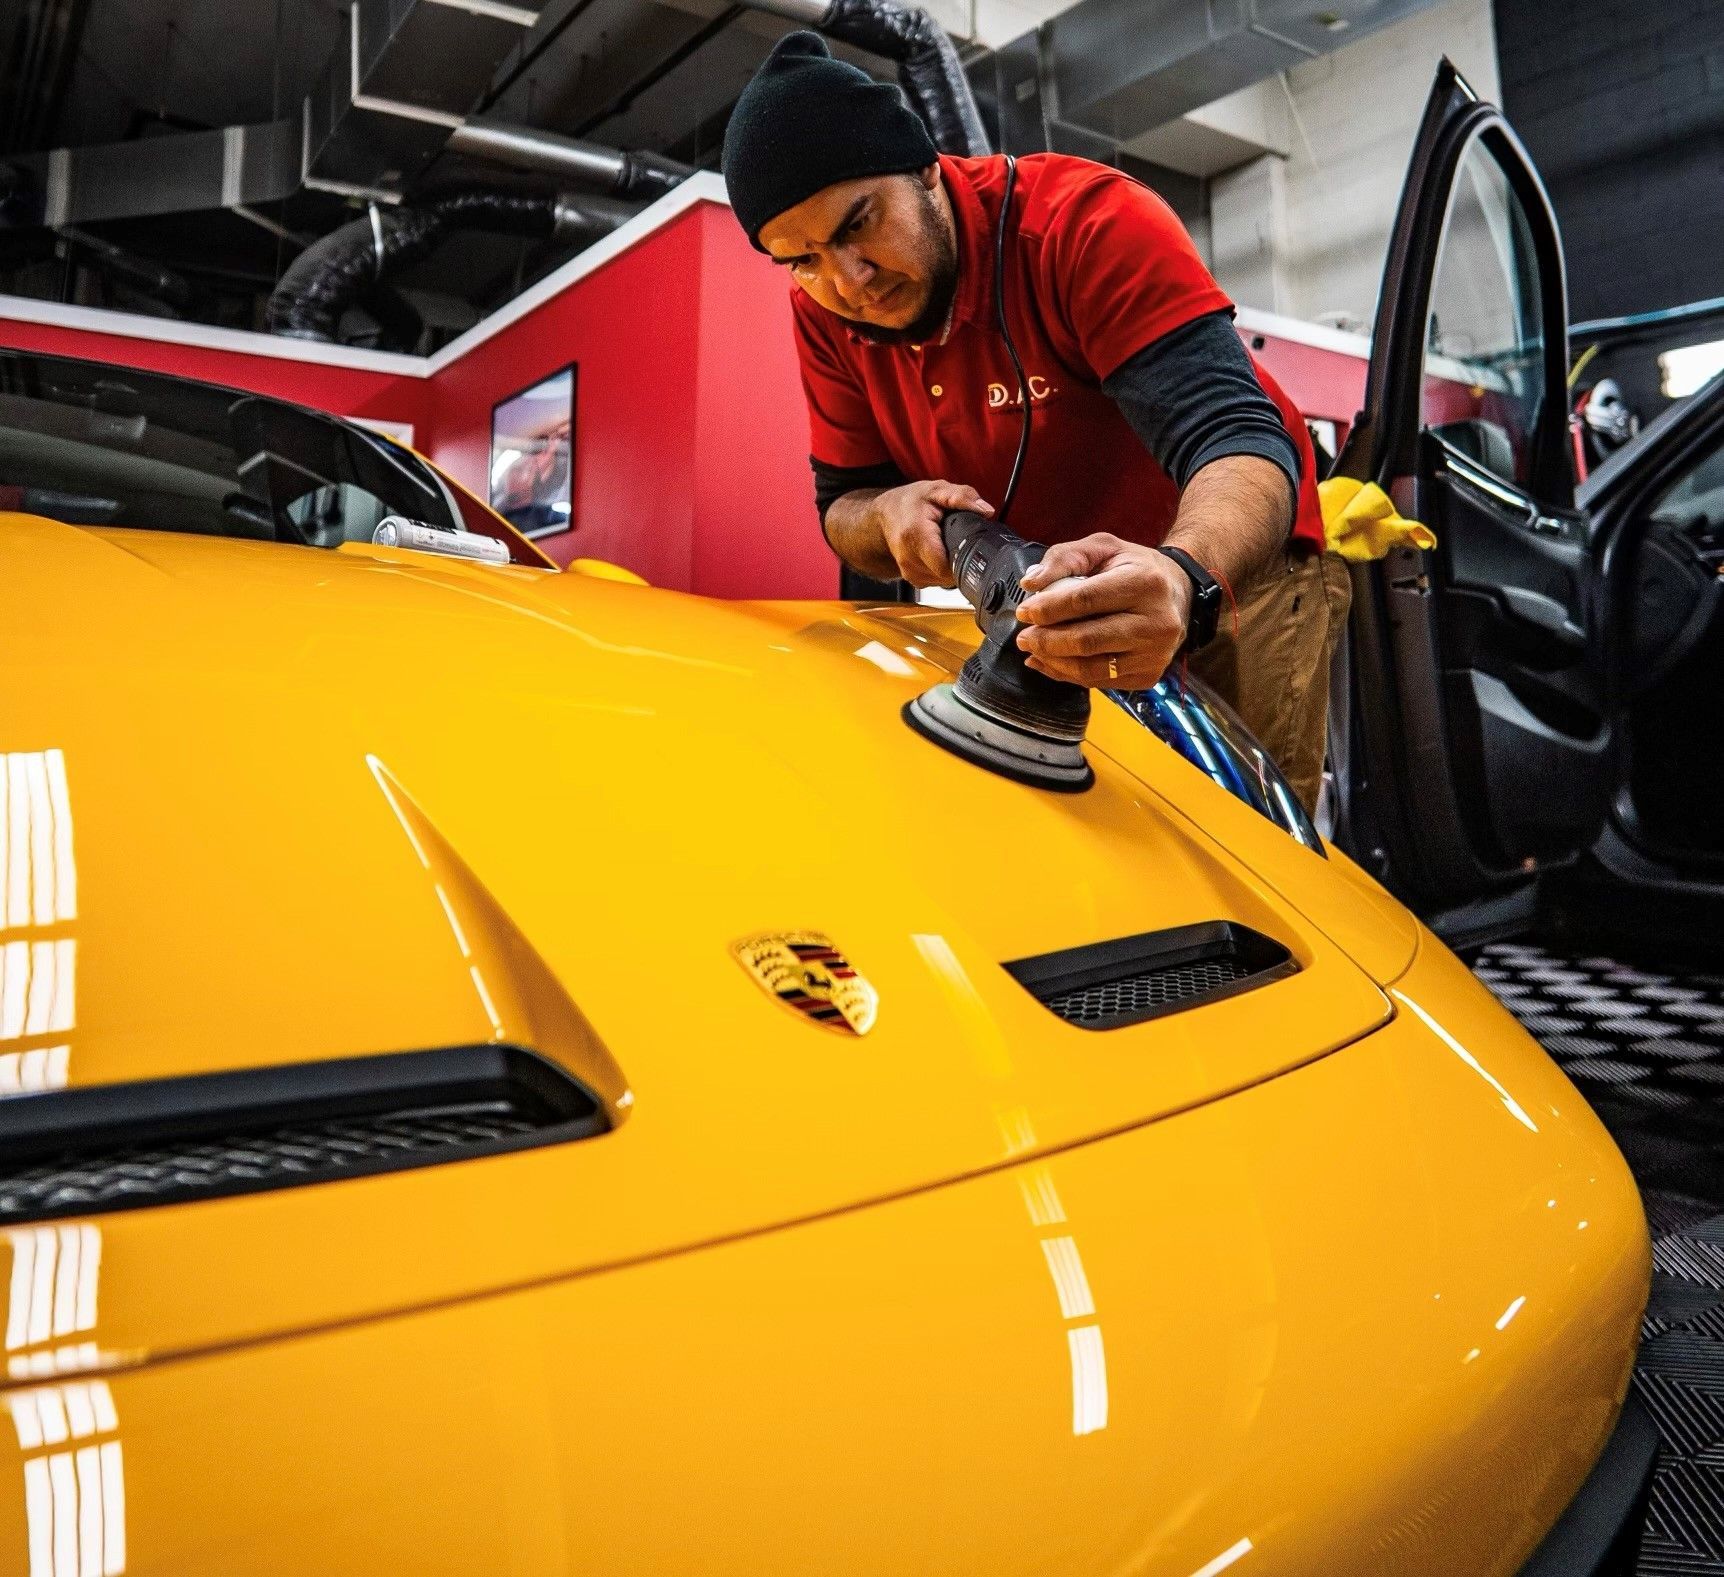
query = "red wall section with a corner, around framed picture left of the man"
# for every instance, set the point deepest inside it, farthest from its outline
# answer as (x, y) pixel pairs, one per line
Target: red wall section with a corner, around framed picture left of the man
(690, 432)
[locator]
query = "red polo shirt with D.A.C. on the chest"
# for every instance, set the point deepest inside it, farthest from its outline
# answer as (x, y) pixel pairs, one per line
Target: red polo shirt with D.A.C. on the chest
(1097, 268)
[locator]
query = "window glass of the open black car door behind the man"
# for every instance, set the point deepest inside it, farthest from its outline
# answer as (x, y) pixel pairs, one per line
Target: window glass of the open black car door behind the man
(1485, 346)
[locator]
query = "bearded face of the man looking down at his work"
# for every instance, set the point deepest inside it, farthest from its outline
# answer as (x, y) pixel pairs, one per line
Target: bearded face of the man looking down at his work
(878, 252)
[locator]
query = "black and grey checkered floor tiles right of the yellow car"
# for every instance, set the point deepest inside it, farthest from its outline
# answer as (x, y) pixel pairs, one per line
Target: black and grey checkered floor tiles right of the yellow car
(1647, 1050)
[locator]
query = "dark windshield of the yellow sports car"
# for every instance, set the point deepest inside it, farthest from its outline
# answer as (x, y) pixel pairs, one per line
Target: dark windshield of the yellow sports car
(99, 446)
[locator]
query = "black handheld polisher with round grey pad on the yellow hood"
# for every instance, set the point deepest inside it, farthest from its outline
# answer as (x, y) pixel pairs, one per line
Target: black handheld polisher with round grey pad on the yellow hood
(999, 713)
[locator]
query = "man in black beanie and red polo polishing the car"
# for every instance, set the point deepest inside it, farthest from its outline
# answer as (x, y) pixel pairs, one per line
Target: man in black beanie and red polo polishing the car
(1161, 459)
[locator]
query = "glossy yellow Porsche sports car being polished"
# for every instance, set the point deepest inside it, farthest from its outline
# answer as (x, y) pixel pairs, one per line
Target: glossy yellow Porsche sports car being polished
(523, 1073)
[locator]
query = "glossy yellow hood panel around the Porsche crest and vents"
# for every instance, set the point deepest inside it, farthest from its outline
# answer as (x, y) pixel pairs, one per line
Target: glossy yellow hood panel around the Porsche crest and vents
(296, 806)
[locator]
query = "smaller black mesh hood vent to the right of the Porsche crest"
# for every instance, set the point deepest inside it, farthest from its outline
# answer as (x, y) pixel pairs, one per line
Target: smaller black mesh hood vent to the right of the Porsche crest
(1116, 983)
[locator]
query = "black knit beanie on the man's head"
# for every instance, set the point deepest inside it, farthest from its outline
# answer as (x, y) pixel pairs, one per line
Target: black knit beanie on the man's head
(808, 123)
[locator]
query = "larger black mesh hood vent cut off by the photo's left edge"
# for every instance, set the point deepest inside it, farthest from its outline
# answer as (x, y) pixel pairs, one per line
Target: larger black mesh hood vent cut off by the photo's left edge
(123, 1147)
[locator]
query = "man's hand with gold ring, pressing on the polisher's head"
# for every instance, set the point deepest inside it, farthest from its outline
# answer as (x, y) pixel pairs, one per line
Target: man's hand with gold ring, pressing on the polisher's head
(1132, 606)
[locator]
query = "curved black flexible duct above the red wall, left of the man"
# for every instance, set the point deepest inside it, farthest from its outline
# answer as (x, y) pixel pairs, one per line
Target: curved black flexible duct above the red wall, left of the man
(354, 261)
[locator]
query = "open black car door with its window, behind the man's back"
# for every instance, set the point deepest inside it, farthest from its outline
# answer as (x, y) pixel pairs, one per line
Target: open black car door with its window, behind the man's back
(1475, 745)
